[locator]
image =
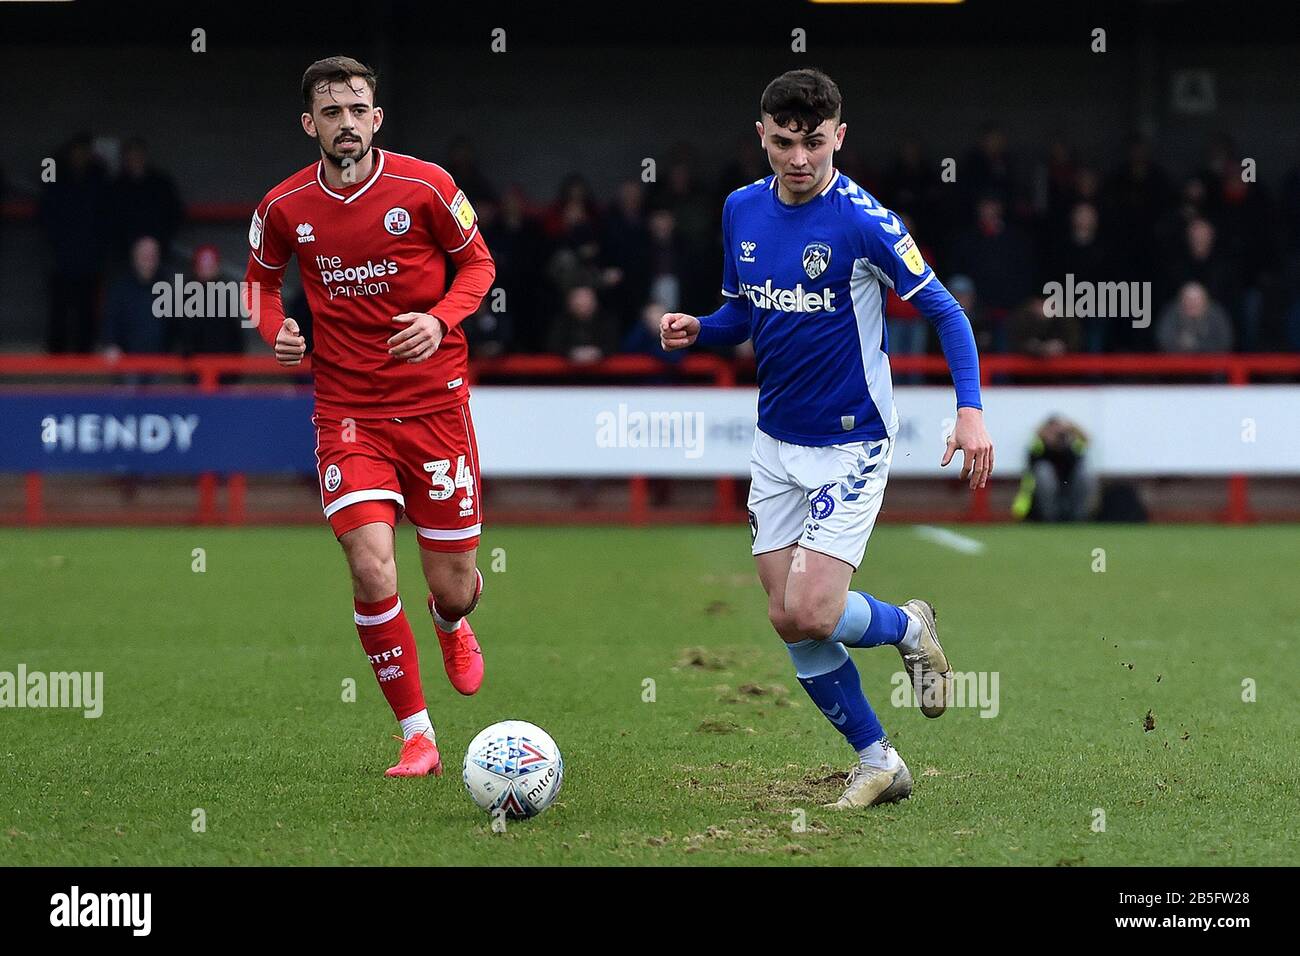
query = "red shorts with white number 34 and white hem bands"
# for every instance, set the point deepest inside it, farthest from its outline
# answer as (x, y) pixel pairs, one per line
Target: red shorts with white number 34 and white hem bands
(372, 470)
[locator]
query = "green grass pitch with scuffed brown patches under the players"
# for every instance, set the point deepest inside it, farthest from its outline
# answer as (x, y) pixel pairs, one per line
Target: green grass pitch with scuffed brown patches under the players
(223, 693)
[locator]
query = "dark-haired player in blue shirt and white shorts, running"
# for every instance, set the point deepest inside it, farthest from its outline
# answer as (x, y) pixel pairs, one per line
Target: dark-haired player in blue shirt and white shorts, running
(808, 259)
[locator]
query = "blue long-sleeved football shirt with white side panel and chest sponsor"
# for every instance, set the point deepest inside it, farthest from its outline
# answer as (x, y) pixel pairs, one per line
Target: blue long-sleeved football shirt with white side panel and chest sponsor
(812, 282)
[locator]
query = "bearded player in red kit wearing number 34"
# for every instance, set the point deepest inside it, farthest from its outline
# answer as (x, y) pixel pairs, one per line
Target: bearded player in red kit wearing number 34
(375, 235)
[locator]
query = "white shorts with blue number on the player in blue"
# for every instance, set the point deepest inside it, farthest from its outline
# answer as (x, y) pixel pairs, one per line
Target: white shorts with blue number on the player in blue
(822, 499)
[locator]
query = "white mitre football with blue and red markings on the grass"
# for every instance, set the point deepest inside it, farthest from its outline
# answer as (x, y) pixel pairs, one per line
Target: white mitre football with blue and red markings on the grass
(514, 767)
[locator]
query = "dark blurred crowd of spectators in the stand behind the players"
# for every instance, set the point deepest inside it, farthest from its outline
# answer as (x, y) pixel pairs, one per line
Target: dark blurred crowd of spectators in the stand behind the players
(586, 276)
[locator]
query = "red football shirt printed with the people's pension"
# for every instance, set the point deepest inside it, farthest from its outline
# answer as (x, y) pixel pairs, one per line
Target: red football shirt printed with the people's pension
(366, 254)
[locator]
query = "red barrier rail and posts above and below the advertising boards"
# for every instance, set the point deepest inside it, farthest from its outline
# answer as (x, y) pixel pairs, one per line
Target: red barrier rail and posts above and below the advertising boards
(213, 373)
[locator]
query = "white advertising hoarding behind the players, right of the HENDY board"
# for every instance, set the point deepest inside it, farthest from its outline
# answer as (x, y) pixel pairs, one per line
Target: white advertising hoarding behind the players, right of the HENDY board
(707, 432)
